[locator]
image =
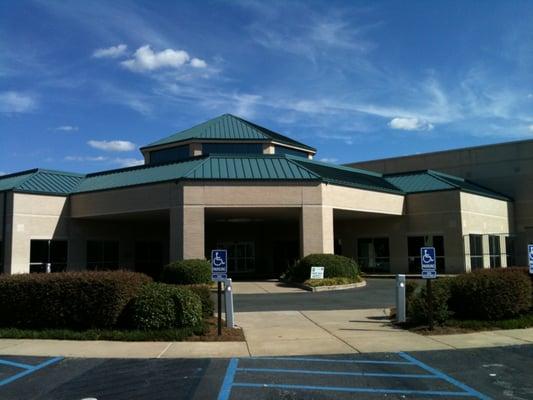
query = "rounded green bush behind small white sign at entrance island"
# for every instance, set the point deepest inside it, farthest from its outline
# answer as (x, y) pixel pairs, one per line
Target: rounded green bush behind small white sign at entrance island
(334, 267)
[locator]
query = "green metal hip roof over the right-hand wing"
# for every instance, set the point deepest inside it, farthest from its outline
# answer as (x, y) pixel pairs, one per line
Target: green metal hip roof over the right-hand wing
(432, 181)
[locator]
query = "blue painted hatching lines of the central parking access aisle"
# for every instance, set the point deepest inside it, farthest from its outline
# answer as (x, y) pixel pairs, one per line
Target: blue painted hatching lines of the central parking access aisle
(231, 379)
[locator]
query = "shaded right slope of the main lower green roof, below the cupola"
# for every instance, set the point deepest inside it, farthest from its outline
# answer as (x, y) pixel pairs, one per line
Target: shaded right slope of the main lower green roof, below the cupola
(347, 176)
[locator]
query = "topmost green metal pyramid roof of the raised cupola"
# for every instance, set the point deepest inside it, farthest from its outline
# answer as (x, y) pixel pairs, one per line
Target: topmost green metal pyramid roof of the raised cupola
(228, 127)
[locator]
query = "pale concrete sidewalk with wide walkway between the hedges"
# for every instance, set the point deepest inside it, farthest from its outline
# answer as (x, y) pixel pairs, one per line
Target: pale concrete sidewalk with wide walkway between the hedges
(281, 333)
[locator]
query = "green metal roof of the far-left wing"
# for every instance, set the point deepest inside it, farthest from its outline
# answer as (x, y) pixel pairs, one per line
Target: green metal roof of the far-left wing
(41, 181)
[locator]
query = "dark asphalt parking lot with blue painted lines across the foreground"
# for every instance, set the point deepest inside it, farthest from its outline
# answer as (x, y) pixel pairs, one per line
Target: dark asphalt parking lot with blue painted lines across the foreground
(497, 373)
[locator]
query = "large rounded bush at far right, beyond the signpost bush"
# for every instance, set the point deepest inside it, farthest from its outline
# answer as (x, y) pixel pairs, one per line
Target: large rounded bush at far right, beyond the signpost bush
(491, 294)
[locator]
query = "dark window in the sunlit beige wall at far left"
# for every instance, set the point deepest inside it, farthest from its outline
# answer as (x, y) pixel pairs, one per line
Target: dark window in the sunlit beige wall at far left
(53, 252)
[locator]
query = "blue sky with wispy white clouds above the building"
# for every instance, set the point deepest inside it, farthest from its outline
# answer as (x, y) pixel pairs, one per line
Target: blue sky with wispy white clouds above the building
(83, 84)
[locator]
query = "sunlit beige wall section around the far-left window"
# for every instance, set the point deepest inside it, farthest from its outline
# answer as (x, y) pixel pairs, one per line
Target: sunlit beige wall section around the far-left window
(34, 217)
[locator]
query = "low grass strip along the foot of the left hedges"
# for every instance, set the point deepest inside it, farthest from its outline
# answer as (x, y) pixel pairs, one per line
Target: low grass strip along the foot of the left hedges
(167, 335)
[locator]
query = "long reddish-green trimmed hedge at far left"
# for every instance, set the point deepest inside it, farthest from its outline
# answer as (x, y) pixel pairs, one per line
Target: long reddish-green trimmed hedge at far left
(76, 300)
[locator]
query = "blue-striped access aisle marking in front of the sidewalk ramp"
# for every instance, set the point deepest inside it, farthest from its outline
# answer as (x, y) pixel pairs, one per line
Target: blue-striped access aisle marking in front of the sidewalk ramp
(256, 379)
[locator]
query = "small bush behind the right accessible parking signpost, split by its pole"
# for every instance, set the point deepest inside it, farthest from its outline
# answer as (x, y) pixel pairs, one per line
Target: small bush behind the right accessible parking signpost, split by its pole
(417, 306)
